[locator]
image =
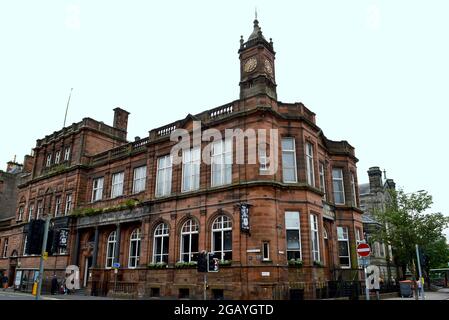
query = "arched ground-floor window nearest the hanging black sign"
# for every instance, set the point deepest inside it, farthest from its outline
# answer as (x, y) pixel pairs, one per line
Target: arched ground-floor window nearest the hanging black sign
(222, 238)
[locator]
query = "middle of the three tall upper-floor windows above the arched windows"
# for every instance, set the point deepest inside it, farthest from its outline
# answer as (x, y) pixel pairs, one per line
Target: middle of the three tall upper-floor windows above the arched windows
(191, 160)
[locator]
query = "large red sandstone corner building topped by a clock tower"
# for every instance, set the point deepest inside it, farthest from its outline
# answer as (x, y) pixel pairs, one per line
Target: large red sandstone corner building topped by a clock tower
(127, 202)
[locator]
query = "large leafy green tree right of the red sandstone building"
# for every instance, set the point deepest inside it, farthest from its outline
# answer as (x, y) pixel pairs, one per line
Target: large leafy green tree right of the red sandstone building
(405, 223)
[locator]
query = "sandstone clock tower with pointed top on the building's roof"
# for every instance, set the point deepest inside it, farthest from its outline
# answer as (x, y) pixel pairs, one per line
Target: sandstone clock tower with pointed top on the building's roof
(257, 74)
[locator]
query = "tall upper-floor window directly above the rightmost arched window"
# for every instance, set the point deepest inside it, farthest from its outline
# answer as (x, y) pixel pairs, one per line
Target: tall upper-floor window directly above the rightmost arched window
(221, 162)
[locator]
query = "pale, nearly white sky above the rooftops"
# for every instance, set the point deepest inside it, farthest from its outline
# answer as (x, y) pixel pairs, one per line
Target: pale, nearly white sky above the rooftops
(375, 72)
